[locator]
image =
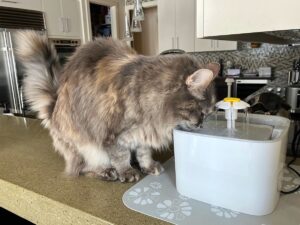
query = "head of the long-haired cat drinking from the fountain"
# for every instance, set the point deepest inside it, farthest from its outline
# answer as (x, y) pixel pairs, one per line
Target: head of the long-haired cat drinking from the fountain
(198, 98)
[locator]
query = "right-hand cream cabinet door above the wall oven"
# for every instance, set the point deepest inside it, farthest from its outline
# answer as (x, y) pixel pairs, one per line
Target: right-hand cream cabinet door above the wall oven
(71, 18)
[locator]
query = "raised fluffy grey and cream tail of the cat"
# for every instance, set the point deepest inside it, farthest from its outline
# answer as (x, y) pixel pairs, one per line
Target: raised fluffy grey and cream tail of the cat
(42, 67)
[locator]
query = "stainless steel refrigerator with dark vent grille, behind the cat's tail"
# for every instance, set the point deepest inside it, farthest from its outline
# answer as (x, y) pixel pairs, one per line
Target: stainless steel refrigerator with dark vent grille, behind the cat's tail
(11, 75)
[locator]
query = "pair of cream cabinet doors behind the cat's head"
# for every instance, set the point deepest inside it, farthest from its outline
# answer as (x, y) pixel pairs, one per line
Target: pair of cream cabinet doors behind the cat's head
(176, 24)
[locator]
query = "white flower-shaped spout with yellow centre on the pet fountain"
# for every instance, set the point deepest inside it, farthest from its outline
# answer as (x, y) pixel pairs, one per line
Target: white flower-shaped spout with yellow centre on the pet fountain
(231, 107)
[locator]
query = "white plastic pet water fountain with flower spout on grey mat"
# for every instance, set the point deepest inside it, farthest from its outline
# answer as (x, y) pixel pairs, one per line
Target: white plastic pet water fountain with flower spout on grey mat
(235, 160)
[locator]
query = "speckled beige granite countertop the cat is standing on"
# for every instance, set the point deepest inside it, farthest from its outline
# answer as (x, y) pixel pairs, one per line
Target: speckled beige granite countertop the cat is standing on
(32, 184)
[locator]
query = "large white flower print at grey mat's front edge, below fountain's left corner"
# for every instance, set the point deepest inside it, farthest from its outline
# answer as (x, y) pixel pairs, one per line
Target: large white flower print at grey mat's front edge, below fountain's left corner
(174, 210)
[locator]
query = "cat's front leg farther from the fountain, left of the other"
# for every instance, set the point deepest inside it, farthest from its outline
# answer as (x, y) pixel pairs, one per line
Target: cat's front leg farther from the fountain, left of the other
(120, 160)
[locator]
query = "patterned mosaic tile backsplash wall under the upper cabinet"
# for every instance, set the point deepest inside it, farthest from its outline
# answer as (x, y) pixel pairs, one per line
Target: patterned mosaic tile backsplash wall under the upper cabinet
(279, 57)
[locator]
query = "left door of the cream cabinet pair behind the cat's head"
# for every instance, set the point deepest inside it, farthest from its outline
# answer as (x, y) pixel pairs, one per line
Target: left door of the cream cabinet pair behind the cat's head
(166, 24)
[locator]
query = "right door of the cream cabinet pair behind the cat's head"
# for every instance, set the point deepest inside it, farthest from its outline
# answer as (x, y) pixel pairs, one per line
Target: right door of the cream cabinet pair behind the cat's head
(185, 25)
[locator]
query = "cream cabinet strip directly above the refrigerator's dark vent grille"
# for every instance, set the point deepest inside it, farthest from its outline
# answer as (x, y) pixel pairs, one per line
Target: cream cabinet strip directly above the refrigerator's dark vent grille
(23, 4)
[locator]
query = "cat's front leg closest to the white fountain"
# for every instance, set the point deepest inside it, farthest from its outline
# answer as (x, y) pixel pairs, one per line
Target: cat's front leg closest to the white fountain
(147, 164)
